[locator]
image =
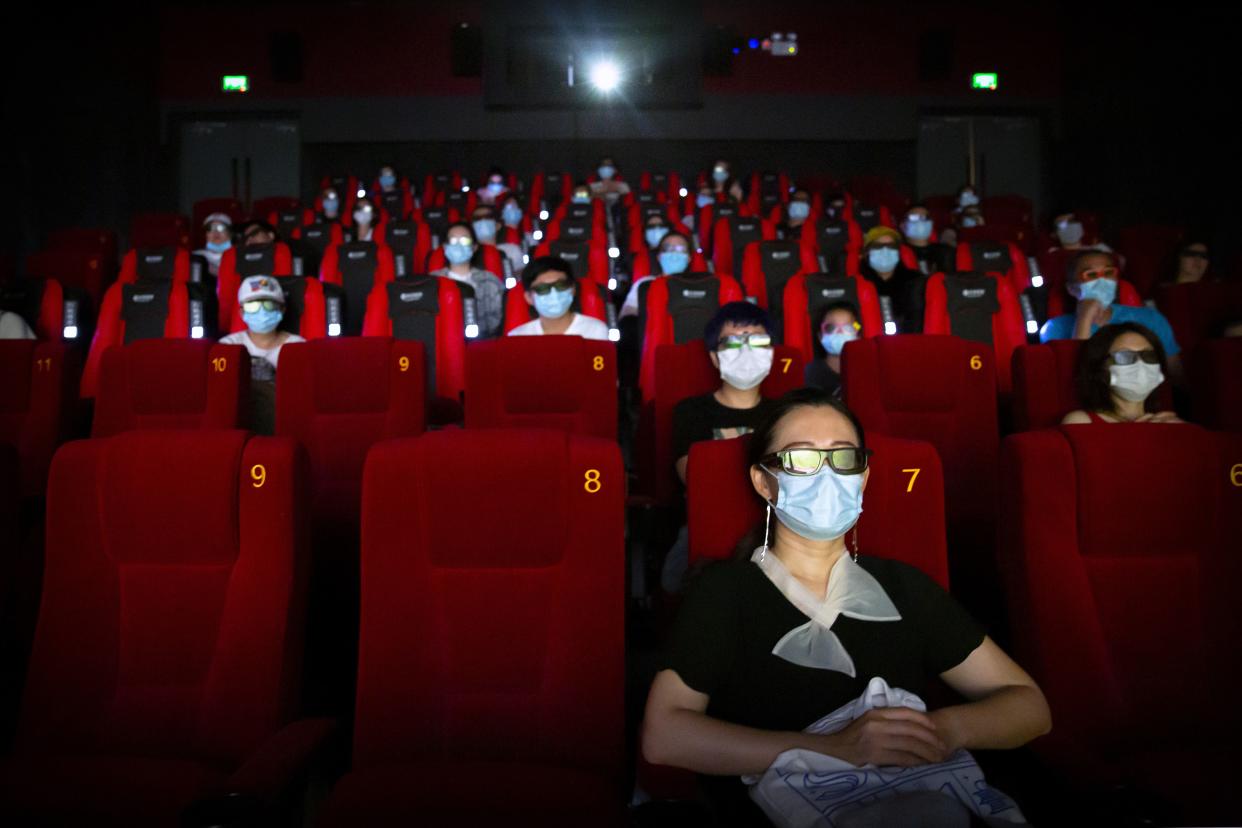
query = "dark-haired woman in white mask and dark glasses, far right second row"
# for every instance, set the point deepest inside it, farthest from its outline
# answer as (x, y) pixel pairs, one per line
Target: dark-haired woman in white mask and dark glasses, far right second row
(1118, 372)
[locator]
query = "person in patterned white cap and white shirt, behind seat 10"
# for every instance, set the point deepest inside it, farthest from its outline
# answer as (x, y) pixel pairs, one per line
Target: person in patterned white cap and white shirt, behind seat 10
(263, 307)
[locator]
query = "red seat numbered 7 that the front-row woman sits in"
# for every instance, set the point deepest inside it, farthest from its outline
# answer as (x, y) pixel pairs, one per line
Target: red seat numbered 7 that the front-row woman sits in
(904, 506)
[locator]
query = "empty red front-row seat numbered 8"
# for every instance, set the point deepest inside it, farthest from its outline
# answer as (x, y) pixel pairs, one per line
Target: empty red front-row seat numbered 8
(490, 665)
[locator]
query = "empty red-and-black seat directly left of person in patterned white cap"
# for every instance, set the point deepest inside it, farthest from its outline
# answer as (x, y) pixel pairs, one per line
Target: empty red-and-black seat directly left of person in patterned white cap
(134, 312)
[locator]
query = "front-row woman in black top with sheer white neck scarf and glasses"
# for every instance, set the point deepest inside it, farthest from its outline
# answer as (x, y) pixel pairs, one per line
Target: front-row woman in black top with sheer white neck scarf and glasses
(799, 624)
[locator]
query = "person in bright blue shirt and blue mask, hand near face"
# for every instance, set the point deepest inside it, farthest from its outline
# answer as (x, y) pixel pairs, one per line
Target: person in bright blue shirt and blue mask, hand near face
(1092, 281)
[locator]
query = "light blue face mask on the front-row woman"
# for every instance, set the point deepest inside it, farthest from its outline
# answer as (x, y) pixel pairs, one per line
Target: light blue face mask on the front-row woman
(819, 507)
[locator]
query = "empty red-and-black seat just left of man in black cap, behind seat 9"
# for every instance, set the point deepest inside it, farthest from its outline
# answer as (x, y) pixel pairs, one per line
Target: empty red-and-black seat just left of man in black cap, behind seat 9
(428, 310)
